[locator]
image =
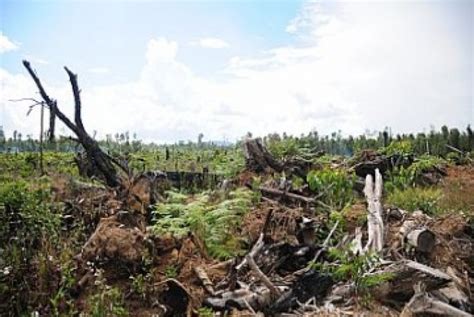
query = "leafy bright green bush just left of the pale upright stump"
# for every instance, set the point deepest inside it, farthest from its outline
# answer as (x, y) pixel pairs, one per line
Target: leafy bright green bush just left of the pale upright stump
(334, 186)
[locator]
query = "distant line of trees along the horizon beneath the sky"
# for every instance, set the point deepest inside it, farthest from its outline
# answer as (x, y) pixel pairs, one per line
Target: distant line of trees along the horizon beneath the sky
(436, 142)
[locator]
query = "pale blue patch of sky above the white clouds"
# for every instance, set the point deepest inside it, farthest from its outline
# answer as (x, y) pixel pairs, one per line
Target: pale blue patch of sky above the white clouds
(114, 34)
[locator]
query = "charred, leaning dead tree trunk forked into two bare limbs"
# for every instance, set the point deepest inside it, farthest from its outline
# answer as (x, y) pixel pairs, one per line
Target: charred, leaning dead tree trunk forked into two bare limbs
(100, 160)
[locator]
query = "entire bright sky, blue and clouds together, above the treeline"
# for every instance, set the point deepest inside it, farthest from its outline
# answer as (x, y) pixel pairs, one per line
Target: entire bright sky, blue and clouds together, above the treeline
(171, 70)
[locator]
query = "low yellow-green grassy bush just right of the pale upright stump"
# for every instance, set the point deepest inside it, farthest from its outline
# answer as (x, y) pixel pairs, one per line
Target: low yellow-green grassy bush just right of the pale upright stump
(414, 198)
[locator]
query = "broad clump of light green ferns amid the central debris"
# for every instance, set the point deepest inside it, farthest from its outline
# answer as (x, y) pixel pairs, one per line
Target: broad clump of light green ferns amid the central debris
(213, 219)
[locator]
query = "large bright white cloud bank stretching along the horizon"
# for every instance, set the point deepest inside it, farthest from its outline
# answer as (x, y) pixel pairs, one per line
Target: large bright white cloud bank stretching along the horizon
(358, 66)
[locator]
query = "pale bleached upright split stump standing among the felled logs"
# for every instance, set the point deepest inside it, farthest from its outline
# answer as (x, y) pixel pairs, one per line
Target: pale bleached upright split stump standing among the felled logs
(373, 193)
